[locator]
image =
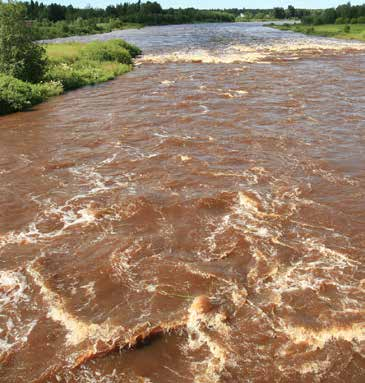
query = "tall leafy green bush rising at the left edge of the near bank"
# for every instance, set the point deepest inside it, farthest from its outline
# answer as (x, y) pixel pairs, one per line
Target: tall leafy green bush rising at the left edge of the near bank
(19, 56)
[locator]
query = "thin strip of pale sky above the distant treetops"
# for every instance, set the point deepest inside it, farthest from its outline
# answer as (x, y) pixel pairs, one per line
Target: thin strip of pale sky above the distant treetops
(206, 4)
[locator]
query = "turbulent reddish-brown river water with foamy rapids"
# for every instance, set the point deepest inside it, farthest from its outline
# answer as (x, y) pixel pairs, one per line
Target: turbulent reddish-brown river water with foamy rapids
(229, 164)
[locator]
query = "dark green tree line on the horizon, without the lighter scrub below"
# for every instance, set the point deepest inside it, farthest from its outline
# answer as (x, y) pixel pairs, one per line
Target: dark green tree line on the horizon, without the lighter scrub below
(151, 13)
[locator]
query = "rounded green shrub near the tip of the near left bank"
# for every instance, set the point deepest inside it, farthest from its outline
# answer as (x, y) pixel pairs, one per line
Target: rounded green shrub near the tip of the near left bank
(106, 51)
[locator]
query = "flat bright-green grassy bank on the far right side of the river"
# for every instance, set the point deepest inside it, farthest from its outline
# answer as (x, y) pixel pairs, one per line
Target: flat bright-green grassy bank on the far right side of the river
(341, 31)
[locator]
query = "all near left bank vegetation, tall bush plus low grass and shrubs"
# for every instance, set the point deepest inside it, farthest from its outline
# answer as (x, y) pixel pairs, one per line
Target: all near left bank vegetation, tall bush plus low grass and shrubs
(31, 73)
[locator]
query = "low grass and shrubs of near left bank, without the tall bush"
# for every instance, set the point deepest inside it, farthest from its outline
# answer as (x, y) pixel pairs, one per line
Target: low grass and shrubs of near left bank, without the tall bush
(70, 66)
